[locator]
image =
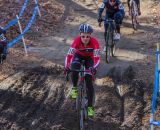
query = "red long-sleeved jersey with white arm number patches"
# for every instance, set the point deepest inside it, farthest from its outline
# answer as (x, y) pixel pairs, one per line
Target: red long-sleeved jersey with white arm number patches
(77, 47)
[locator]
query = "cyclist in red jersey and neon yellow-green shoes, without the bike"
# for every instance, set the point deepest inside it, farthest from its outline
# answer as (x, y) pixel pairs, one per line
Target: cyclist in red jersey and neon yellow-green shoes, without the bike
(84, 47)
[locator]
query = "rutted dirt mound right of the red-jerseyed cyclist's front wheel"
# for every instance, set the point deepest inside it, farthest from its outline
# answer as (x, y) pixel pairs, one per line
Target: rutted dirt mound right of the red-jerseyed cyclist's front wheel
(122, 96)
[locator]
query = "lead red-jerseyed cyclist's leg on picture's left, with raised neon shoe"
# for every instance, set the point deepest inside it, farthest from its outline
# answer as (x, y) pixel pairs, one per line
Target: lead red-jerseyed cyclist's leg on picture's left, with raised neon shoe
(76, 64)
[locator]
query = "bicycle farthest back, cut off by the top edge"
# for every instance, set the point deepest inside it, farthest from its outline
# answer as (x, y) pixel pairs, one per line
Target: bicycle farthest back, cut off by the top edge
(133, 13)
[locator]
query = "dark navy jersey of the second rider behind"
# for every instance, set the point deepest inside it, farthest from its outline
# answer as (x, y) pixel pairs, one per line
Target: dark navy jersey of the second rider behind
(111, 9)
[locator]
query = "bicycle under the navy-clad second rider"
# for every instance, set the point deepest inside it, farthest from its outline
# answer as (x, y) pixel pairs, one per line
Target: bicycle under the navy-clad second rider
(110, 45)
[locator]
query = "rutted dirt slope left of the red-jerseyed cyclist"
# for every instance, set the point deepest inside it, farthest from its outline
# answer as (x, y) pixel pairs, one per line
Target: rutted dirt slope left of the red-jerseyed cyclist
(31, 98)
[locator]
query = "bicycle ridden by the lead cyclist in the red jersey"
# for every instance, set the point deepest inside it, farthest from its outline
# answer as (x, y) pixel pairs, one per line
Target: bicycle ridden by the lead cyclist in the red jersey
(81, 100)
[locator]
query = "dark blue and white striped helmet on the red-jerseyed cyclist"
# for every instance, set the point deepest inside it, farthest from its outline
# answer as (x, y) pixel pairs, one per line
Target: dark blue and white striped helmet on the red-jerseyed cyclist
(85, 28)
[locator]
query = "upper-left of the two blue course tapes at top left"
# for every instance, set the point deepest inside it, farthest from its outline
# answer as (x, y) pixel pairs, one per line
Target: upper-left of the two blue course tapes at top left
(20, 14)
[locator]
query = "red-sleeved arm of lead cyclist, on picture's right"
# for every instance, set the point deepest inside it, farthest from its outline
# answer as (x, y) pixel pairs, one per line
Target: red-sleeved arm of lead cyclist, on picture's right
(96, 53)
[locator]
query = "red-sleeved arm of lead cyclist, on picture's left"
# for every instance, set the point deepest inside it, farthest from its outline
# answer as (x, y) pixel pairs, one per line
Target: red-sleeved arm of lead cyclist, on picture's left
(70, 53)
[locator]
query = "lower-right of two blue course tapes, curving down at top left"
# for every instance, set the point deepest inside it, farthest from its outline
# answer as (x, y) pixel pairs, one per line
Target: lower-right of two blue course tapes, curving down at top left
(10, 44)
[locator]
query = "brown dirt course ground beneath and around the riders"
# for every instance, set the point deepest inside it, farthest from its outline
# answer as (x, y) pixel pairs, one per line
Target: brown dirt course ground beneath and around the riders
(33, 89)
